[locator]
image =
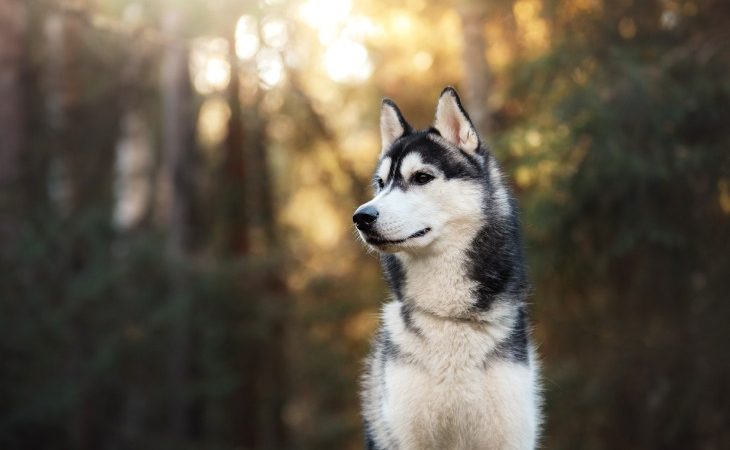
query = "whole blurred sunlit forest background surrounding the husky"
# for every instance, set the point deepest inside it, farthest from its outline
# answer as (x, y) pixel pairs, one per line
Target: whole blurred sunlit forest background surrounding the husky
(177, 263)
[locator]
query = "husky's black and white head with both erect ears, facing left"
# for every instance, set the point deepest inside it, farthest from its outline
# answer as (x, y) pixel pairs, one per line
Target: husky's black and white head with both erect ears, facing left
(431, 186)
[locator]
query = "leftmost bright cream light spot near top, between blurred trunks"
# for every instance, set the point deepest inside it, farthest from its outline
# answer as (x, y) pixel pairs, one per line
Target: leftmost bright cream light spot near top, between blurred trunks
(209, 65)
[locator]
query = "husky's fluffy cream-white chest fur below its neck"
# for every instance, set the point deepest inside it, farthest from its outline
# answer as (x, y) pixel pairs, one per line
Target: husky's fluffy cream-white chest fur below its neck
(445, 392)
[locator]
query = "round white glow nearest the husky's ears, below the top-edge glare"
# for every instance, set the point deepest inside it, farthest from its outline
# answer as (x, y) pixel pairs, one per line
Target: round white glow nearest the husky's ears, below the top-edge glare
(347, 61)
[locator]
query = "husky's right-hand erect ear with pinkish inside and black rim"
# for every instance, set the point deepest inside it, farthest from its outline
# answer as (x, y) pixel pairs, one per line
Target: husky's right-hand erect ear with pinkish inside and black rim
(453, 123)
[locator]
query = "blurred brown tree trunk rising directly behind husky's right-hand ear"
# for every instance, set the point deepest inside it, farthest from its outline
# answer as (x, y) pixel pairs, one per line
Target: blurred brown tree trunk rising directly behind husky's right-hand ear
(477, 75)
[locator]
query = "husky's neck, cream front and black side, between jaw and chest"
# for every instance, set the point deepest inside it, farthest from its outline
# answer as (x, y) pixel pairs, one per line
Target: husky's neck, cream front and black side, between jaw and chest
(448, 280)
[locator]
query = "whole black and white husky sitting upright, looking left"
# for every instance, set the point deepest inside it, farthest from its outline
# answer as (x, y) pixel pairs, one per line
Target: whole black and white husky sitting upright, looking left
(452, 365)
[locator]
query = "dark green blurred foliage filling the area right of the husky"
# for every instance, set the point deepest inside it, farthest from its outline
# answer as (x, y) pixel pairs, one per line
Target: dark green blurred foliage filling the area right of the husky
(627, 243)
